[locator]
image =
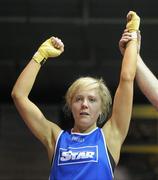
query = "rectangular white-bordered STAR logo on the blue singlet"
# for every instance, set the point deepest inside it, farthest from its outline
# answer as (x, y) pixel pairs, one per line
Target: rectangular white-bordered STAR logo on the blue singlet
(78, 155)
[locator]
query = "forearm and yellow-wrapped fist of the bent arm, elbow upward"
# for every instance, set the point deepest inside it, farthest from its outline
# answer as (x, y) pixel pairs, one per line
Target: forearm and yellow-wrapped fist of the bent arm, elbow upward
(52, 47)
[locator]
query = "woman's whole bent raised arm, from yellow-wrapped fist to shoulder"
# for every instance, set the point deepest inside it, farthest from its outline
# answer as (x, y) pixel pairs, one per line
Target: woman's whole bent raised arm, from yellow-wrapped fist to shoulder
(43, 129)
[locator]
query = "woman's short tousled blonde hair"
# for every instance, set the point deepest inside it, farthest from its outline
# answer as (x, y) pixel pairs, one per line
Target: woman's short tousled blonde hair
(88, 83)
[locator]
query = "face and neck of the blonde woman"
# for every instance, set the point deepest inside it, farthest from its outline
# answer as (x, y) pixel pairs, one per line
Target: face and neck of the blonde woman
(86, 108)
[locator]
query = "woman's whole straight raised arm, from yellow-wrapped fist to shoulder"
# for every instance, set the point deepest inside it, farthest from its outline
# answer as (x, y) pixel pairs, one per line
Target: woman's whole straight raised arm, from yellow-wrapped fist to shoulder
(116, 128)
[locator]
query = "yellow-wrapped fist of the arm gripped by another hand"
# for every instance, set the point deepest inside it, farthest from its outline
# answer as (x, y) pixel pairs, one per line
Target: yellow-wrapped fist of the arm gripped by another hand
(133, 22)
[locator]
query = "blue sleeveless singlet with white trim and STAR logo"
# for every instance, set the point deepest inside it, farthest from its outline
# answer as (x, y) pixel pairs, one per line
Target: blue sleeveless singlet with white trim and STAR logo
(81, 157)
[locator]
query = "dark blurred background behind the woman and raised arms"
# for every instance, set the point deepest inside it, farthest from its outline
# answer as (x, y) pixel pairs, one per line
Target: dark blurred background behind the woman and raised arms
(90, 30)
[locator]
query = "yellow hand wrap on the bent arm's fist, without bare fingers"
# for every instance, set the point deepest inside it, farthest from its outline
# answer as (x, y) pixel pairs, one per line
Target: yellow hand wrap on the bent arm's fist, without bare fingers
(45, 51)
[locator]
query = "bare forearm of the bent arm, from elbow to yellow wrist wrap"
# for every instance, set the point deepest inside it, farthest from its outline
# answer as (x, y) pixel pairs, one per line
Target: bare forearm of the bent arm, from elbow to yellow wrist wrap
(26, 80)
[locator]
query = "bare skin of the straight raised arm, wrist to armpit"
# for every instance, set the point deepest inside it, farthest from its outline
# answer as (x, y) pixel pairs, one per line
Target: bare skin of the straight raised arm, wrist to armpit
(123, 100)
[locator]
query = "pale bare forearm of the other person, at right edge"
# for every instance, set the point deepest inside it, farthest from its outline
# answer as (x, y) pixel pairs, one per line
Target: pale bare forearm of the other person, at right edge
(147, 82)
